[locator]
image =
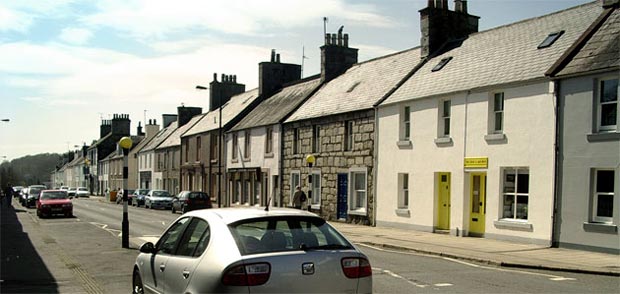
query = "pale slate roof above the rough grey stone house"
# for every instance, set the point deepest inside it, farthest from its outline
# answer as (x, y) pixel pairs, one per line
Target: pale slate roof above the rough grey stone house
(360, 87)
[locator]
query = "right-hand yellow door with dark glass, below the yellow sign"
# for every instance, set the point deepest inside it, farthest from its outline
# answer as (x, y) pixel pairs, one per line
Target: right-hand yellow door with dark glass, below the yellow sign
(477, 198)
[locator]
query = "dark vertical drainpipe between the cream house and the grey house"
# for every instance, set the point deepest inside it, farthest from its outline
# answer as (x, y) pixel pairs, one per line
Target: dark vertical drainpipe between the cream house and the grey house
(555, 221)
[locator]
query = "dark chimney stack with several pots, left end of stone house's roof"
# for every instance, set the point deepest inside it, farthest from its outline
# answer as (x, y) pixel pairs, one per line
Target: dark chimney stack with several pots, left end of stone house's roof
(336, 56)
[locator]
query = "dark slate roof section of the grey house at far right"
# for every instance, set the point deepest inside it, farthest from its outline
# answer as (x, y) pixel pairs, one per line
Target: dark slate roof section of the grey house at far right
(602, 50)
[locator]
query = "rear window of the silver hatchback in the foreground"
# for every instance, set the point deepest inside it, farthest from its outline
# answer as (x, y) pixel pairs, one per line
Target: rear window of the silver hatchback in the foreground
(286, 233)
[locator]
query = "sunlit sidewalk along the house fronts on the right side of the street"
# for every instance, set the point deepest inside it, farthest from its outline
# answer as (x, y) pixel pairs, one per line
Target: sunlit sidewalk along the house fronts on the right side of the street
(502, 253)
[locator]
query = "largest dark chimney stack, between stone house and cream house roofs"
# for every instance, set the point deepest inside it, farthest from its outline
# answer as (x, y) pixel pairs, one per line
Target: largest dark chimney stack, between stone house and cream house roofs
(440, 25)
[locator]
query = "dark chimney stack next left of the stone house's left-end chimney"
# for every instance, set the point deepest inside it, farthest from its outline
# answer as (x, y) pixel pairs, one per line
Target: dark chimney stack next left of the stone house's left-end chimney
(273, 74)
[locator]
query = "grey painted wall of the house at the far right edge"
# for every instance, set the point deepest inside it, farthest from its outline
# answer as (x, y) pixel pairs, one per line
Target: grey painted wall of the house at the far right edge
(581, 153)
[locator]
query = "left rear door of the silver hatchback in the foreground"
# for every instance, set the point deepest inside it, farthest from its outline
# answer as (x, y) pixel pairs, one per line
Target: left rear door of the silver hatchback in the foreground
(179, 269)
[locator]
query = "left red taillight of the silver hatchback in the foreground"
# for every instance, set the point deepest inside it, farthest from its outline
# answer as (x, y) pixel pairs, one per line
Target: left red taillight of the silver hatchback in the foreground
(247, 275)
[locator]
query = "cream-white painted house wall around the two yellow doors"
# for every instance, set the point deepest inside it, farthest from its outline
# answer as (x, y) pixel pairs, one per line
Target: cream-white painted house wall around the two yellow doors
(529, 129)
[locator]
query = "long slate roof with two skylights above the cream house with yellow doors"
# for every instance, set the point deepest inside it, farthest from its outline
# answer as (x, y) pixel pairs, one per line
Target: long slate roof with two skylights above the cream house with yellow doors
(502, 55)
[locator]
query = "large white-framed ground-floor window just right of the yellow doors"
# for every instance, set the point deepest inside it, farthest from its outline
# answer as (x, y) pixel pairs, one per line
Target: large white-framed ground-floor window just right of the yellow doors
(516, 193)
